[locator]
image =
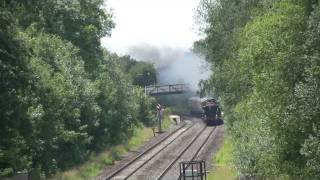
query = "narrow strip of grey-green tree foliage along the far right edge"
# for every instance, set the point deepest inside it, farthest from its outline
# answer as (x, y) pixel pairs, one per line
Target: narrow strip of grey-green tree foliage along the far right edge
(307, 94)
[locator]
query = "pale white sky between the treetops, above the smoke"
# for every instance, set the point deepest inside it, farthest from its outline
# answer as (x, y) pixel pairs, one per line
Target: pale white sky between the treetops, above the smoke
(158, 23)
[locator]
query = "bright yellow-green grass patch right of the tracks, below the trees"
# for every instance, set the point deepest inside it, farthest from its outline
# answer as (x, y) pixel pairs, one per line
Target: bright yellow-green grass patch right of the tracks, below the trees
(223, 169)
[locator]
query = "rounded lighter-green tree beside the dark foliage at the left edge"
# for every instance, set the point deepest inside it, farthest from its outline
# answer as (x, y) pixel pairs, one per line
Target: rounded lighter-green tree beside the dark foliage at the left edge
(57, 135)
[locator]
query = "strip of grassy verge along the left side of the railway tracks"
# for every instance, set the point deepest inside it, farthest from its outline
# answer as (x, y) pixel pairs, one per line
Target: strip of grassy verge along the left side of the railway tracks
(97, 162)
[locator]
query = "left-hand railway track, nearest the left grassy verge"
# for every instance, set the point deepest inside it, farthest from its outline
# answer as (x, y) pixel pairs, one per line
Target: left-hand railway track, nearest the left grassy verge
(135, 164)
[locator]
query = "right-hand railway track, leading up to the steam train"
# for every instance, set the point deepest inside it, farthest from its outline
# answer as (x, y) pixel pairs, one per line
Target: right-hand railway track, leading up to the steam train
(190, 152)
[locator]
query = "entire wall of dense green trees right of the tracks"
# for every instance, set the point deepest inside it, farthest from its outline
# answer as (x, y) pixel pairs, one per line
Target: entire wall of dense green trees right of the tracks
(265, 59)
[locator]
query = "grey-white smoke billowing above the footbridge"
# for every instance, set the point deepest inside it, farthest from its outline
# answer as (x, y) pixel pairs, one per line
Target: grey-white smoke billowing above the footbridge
(173, 65)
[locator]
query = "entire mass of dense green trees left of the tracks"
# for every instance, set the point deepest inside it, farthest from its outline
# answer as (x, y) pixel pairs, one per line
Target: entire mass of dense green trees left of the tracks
(61, 95)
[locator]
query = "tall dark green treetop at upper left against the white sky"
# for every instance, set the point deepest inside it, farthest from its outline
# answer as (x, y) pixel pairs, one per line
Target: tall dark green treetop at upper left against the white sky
(81, 22)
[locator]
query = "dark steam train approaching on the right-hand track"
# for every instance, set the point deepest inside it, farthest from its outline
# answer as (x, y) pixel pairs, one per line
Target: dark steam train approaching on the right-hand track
(208, 108)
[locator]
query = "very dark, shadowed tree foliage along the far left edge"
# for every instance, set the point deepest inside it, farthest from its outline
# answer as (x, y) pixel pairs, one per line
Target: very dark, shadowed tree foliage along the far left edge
(14, 75)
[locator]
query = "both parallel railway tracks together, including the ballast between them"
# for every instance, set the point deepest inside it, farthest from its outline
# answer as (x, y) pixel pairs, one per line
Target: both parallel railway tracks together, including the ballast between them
(167, 153)
